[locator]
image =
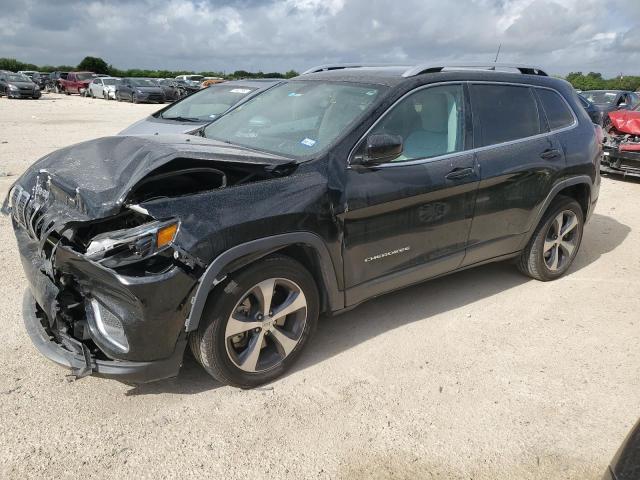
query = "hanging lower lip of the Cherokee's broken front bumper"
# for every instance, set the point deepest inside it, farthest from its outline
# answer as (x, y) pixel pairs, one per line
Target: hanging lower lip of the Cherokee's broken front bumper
(75, 356)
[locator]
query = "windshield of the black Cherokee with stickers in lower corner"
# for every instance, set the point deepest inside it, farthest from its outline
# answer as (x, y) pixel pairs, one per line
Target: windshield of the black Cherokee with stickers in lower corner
(296, 119)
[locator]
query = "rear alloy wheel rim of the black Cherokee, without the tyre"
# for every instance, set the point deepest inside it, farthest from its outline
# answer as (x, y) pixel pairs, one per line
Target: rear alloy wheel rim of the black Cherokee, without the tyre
(561, 240)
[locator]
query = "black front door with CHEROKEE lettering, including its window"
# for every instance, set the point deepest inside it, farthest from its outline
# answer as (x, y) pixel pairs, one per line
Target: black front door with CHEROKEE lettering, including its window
(409, 219)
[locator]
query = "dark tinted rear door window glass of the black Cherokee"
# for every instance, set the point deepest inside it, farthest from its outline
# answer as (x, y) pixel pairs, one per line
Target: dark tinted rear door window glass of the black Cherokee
(503, 113)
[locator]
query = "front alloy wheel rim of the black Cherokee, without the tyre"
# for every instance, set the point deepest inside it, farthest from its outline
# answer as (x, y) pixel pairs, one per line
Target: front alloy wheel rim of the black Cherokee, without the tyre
(266, 325)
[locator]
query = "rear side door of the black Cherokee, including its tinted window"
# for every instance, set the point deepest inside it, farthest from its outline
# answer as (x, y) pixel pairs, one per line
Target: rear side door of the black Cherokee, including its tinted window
(519, 159)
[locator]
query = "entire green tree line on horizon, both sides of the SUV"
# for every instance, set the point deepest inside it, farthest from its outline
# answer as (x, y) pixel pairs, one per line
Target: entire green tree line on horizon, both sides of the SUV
(590, 81)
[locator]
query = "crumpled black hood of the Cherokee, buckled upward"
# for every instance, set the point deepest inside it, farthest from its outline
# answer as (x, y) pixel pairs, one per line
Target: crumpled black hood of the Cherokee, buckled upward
(97, 175)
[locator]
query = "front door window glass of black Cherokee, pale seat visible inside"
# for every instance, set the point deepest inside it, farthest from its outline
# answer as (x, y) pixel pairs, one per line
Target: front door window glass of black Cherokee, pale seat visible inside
(430, 122)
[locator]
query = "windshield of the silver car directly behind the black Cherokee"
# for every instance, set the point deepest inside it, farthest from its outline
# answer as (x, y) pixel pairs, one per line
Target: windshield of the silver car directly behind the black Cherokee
(207, 104)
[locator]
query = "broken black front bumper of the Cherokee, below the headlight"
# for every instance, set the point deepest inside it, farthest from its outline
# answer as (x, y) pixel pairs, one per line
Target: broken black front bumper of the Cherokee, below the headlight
(70, 315)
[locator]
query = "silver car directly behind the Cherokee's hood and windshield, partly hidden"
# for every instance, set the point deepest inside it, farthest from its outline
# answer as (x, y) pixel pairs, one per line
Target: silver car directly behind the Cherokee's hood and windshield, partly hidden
(195, 111)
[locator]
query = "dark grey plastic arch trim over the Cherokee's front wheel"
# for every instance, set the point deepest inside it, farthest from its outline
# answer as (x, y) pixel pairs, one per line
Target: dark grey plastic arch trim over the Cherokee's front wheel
(305, 247)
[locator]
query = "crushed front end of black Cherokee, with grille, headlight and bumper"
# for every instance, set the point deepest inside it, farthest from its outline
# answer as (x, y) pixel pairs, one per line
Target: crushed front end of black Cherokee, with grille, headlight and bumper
(107, 297)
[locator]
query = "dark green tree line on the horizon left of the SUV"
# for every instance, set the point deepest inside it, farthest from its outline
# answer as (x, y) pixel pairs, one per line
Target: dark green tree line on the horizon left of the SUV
(98, 65)
